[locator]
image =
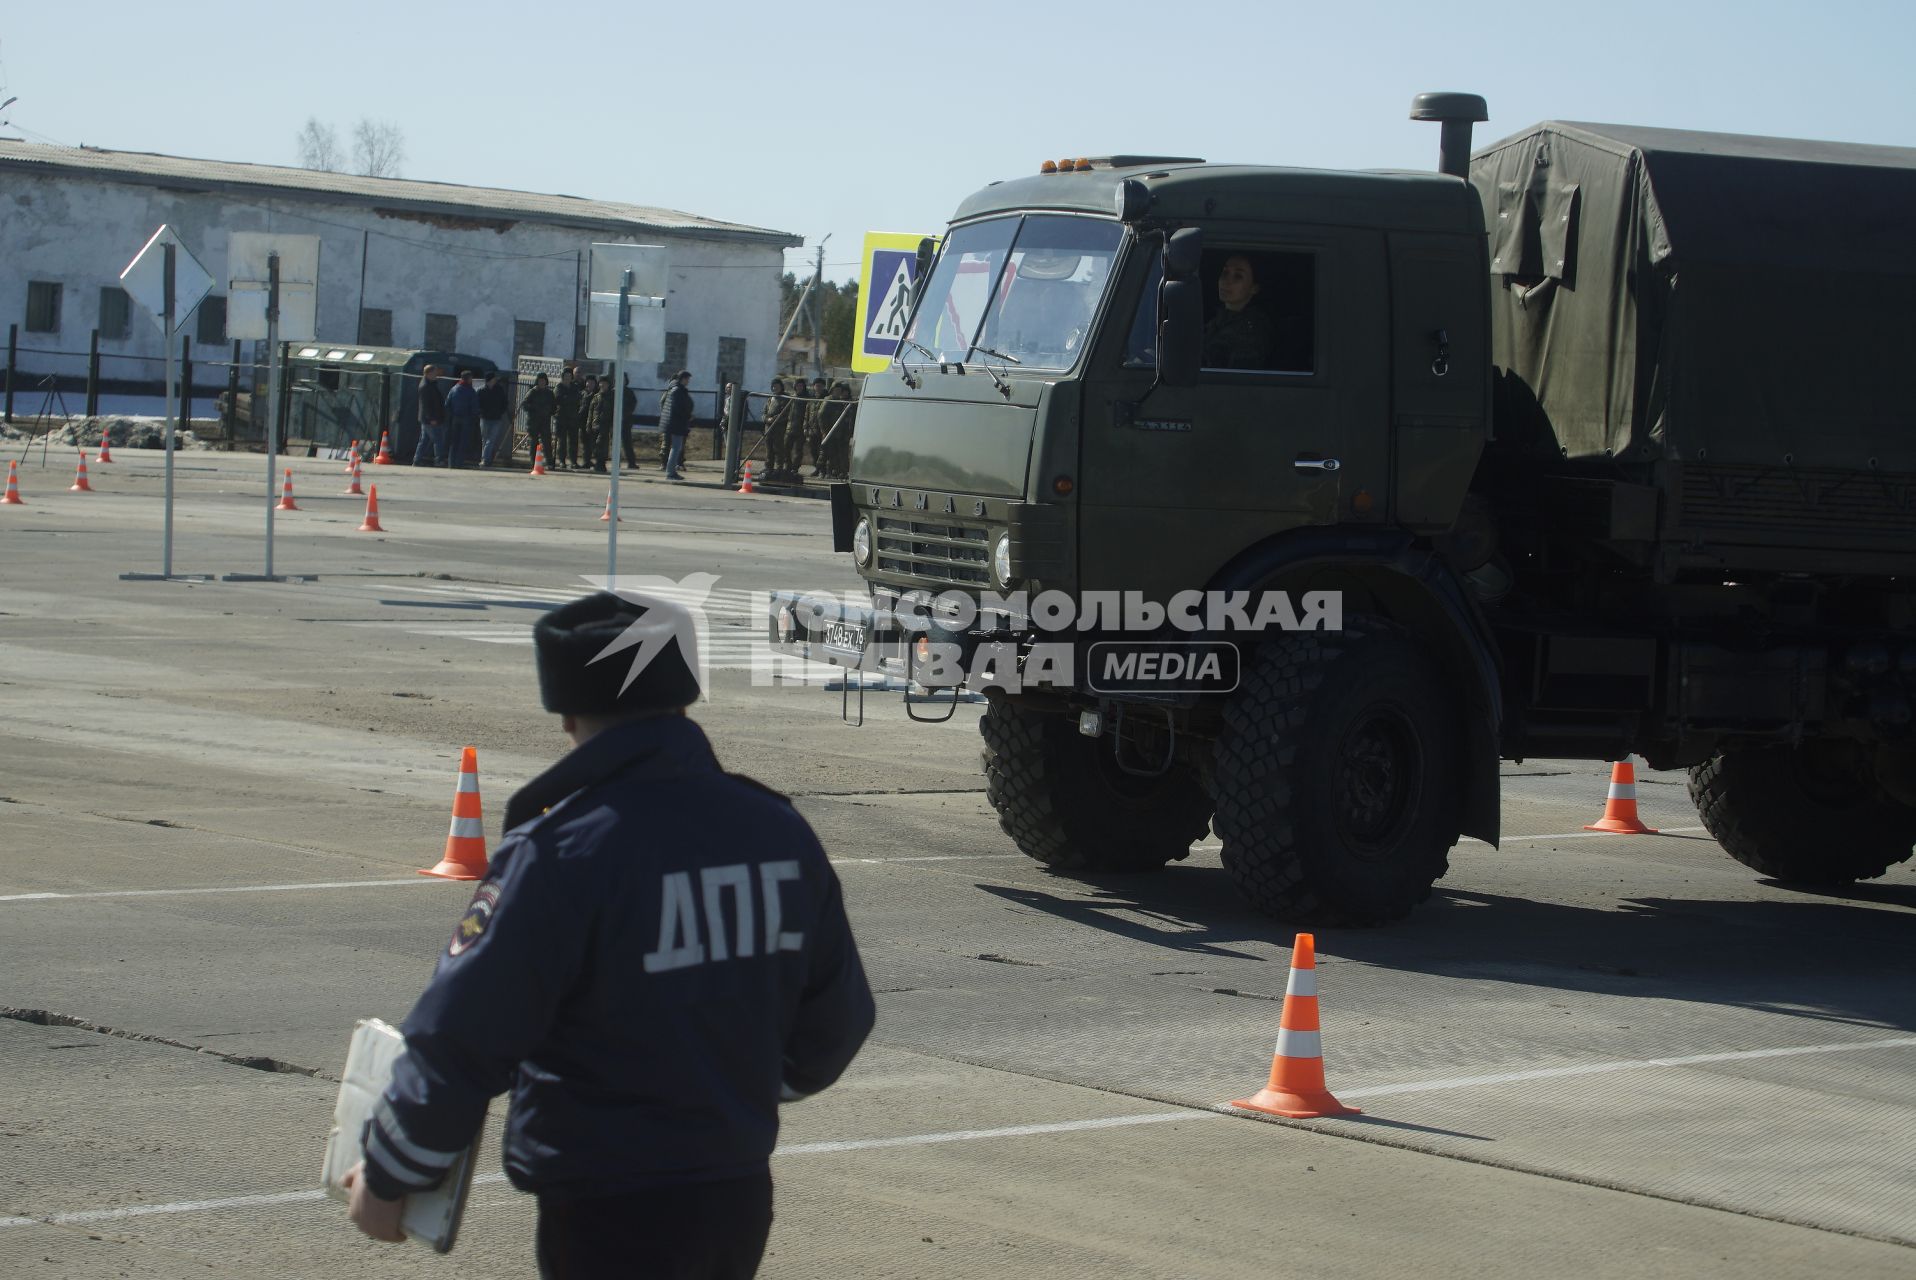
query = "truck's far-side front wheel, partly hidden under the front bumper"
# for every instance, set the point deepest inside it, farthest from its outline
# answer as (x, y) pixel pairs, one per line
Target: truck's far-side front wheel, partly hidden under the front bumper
(1066, 804)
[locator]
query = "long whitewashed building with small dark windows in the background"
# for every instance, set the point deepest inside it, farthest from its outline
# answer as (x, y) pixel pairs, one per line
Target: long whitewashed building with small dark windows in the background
(403, 263)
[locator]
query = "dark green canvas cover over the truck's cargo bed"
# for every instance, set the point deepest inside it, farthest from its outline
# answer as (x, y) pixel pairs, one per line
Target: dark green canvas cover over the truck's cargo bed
(1704, 298)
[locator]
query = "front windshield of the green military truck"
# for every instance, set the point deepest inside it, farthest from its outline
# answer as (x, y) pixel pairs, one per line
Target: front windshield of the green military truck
(1022, 288)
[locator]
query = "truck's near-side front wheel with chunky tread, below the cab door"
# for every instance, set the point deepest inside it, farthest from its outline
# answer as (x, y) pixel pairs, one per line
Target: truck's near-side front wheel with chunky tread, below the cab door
(1338, 777)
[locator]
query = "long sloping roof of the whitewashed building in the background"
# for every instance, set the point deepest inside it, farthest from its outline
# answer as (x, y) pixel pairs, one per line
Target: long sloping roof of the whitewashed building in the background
(407, 194)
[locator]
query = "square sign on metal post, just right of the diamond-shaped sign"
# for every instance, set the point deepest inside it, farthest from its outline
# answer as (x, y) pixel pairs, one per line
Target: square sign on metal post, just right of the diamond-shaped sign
(273, 296)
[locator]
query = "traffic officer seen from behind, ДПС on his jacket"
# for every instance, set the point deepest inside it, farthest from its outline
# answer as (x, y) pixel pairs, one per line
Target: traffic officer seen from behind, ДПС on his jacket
(656, 959)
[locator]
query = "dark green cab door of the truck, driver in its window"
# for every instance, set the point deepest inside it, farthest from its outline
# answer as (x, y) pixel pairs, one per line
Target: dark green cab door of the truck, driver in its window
(1289, 424)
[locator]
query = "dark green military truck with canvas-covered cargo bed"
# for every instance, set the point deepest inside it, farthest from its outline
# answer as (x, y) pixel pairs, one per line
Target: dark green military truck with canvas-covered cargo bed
(1603, 438)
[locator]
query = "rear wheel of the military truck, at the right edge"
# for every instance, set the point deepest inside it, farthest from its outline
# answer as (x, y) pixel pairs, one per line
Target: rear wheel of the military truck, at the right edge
(1808, 815)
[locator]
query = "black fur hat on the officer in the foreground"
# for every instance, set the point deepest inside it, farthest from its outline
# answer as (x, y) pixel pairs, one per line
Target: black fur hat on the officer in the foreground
(591, 652)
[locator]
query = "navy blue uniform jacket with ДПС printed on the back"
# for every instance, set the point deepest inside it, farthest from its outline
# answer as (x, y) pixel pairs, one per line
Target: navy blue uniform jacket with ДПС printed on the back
(652, 965)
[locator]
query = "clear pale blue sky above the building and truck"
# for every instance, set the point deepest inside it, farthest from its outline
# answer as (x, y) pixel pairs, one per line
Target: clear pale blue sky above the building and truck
(834, 120)
